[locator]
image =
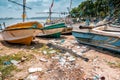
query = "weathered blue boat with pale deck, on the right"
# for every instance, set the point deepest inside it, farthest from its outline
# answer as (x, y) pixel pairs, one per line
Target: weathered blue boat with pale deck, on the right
(103, 36)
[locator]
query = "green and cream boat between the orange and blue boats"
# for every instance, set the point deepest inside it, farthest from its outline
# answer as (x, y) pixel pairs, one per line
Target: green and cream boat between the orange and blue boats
(52, 31)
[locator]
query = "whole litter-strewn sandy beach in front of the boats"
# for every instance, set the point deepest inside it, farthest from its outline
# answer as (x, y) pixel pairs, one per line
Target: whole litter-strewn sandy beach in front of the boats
(56, 64)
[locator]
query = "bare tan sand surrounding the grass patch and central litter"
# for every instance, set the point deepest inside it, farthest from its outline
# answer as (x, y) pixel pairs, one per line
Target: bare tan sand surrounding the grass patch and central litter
(98, 64)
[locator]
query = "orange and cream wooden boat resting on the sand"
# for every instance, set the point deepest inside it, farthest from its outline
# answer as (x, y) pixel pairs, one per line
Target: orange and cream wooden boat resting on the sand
(22, 33)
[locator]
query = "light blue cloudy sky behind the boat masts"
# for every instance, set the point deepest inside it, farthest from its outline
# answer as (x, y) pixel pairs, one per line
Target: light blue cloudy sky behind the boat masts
(8, 9)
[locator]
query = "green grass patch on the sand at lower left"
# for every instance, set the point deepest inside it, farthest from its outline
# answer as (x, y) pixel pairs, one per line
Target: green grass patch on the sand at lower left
(6, 69)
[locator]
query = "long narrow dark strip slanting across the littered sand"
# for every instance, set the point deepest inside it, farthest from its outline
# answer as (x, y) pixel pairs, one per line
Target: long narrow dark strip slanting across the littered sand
(63, 49)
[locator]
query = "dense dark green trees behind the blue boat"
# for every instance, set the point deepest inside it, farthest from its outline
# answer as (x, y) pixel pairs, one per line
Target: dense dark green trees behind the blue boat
(96, 8)
